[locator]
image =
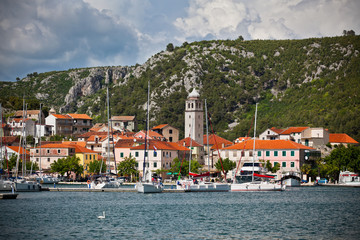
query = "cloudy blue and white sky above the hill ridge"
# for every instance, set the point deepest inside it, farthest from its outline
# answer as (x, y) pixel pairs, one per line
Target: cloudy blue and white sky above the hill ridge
(52, 35)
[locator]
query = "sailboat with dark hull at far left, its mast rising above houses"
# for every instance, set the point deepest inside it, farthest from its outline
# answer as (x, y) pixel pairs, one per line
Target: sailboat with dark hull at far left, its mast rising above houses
(21, 184)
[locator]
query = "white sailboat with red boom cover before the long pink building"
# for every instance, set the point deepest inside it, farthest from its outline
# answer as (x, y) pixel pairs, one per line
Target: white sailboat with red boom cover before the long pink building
(259, 185)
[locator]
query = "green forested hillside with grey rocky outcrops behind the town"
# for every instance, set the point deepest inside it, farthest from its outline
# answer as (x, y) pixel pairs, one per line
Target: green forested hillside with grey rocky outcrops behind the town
(310, 82)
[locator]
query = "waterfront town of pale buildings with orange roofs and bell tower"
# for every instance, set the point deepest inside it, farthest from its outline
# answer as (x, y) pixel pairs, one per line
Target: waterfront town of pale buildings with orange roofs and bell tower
(280, 151)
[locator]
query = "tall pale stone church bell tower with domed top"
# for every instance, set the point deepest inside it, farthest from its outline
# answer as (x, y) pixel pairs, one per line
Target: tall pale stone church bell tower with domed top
(194, 117)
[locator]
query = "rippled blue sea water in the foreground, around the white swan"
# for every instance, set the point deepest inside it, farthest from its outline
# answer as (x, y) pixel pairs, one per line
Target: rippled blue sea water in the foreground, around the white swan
(297, 213)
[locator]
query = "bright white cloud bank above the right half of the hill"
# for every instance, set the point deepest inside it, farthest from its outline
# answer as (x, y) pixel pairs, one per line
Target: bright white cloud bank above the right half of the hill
(270, 19)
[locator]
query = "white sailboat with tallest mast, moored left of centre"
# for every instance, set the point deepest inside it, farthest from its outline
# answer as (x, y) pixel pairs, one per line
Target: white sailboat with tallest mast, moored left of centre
(109, 182)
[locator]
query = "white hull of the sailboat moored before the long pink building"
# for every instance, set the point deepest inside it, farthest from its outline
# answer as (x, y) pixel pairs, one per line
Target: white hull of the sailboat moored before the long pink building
(256, 187)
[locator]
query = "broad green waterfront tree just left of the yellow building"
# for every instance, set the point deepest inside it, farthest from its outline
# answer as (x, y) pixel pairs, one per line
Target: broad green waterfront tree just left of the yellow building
(67, 165)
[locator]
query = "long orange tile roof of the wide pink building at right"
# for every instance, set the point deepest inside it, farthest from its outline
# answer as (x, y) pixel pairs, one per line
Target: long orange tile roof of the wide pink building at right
(268, 144)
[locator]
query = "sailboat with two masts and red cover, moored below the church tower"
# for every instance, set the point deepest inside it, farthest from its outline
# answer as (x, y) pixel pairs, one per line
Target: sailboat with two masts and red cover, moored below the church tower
(196, 184)
